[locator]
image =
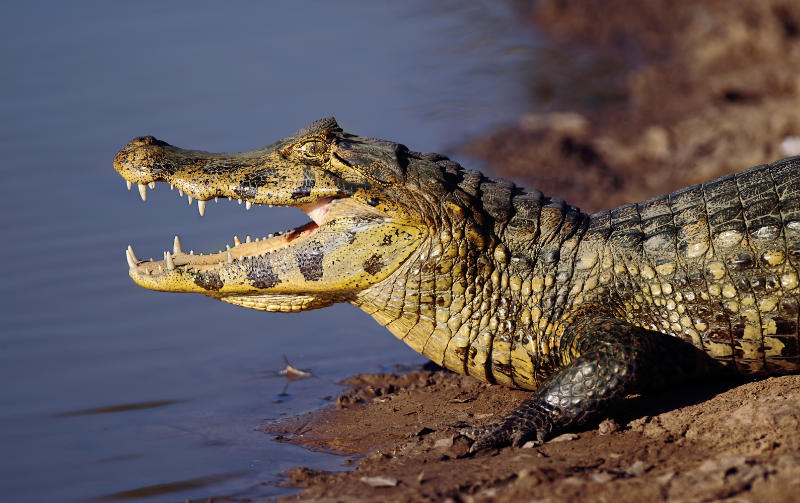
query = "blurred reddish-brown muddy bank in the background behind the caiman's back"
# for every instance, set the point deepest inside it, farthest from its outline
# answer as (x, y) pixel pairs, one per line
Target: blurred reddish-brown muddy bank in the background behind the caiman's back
(698, 90)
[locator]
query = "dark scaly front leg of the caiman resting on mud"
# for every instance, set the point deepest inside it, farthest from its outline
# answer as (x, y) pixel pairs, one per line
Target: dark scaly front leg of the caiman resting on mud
(605, 359)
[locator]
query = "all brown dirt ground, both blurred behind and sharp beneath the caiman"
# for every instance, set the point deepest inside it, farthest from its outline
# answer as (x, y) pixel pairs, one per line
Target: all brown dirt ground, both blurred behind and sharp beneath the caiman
(697, 90)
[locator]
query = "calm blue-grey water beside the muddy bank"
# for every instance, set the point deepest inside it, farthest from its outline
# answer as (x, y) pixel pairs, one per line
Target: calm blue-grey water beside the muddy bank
(112, 392)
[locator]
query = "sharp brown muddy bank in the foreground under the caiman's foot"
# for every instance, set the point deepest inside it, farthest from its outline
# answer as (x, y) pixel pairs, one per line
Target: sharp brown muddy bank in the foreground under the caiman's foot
(694, 444)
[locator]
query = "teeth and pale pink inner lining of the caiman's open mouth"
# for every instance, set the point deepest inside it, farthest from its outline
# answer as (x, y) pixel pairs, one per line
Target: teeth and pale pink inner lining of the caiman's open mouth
(238, 250)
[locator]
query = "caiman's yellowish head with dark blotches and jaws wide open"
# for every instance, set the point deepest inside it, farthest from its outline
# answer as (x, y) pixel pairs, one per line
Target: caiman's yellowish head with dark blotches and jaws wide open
(367, 217)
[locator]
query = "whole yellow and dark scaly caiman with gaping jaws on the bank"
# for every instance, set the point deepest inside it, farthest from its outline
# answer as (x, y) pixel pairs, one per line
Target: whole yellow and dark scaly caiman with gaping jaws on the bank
(498, 282)
